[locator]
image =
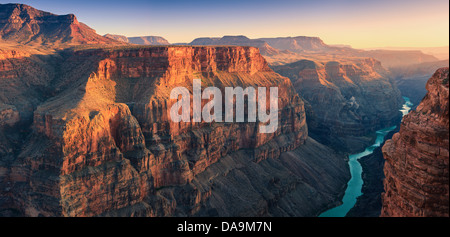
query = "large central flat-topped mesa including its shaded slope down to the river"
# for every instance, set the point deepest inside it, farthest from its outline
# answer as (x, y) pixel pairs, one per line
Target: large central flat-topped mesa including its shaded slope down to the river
(102, 142)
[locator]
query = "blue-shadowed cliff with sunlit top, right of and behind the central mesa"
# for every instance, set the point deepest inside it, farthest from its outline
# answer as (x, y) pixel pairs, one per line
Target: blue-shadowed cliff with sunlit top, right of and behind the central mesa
(344, 100)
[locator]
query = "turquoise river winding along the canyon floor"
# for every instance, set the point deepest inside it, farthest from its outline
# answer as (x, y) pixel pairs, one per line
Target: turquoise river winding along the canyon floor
(355, 184)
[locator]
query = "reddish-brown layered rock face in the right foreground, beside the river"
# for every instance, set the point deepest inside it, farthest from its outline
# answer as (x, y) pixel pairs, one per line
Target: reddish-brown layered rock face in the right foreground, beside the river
(417, 158)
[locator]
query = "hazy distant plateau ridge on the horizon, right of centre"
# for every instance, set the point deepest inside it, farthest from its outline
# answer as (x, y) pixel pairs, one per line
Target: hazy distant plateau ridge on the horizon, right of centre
(282, 50)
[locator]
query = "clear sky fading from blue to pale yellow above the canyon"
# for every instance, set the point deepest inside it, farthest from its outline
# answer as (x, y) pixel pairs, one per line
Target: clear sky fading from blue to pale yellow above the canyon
(361, 24)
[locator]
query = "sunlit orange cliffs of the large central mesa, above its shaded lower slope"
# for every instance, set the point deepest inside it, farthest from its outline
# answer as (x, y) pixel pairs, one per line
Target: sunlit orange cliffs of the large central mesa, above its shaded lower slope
(110, 126)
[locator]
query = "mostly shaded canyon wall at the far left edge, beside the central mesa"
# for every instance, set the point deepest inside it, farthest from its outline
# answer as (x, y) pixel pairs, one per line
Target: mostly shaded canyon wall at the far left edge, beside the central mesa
(23, 78)
